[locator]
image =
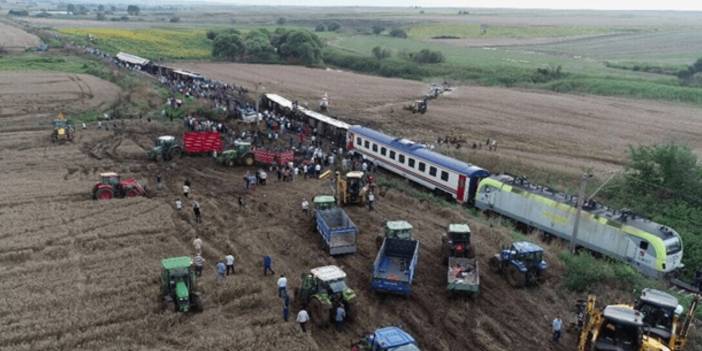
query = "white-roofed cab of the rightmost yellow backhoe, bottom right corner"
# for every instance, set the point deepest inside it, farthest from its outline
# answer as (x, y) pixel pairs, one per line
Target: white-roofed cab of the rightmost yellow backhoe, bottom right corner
(658, 310)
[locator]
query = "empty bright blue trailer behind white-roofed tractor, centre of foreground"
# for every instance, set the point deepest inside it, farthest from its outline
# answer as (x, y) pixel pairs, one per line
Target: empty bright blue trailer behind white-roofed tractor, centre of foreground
(394, 267)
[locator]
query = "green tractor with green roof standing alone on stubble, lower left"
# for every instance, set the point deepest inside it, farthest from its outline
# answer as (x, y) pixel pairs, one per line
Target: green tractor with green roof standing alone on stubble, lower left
(178, 285)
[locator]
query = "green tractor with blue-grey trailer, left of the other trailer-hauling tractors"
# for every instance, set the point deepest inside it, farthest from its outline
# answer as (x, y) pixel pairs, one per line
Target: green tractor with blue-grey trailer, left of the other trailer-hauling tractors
(334, 226)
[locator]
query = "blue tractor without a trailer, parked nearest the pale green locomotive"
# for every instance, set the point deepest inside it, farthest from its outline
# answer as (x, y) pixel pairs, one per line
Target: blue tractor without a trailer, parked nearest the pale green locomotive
(522, 263)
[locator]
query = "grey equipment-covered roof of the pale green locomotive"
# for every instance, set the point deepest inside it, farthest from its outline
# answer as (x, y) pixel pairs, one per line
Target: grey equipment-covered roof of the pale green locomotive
(592, 207)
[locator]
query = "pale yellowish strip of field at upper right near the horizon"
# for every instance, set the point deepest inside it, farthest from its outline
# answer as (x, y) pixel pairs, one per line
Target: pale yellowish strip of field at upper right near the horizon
(428, 31)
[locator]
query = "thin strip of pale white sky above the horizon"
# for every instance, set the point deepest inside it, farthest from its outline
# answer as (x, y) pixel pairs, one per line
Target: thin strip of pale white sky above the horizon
(682, 5)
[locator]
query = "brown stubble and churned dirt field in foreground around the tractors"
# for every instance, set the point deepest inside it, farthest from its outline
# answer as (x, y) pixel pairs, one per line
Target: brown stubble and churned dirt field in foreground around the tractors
(83, 275)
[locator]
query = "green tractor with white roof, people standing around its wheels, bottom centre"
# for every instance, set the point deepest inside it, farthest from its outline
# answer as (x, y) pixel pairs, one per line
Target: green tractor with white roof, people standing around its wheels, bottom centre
(321, 291)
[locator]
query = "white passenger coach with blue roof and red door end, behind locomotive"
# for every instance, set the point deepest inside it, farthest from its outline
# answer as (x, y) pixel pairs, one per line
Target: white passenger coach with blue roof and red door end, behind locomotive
(416, 162)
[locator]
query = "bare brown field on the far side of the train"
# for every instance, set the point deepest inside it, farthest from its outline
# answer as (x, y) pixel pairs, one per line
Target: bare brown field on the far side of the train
(552, 131)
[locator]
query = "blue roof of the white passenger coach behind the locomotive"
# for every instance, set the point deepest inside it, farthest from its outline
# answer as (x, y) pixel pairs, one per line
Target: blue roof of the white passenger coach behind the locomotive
(419, 150)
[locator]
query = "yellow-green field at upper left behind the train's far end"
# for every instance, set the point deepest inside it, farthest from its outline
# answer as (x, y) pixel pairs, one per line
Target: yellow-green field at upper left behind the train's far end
(153, 43)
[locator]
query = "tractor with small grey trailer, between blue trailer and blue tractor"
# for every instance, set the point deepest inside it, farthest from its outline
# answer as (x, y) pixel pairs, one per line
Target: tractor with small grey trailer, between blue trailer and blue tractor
(457, 251)
